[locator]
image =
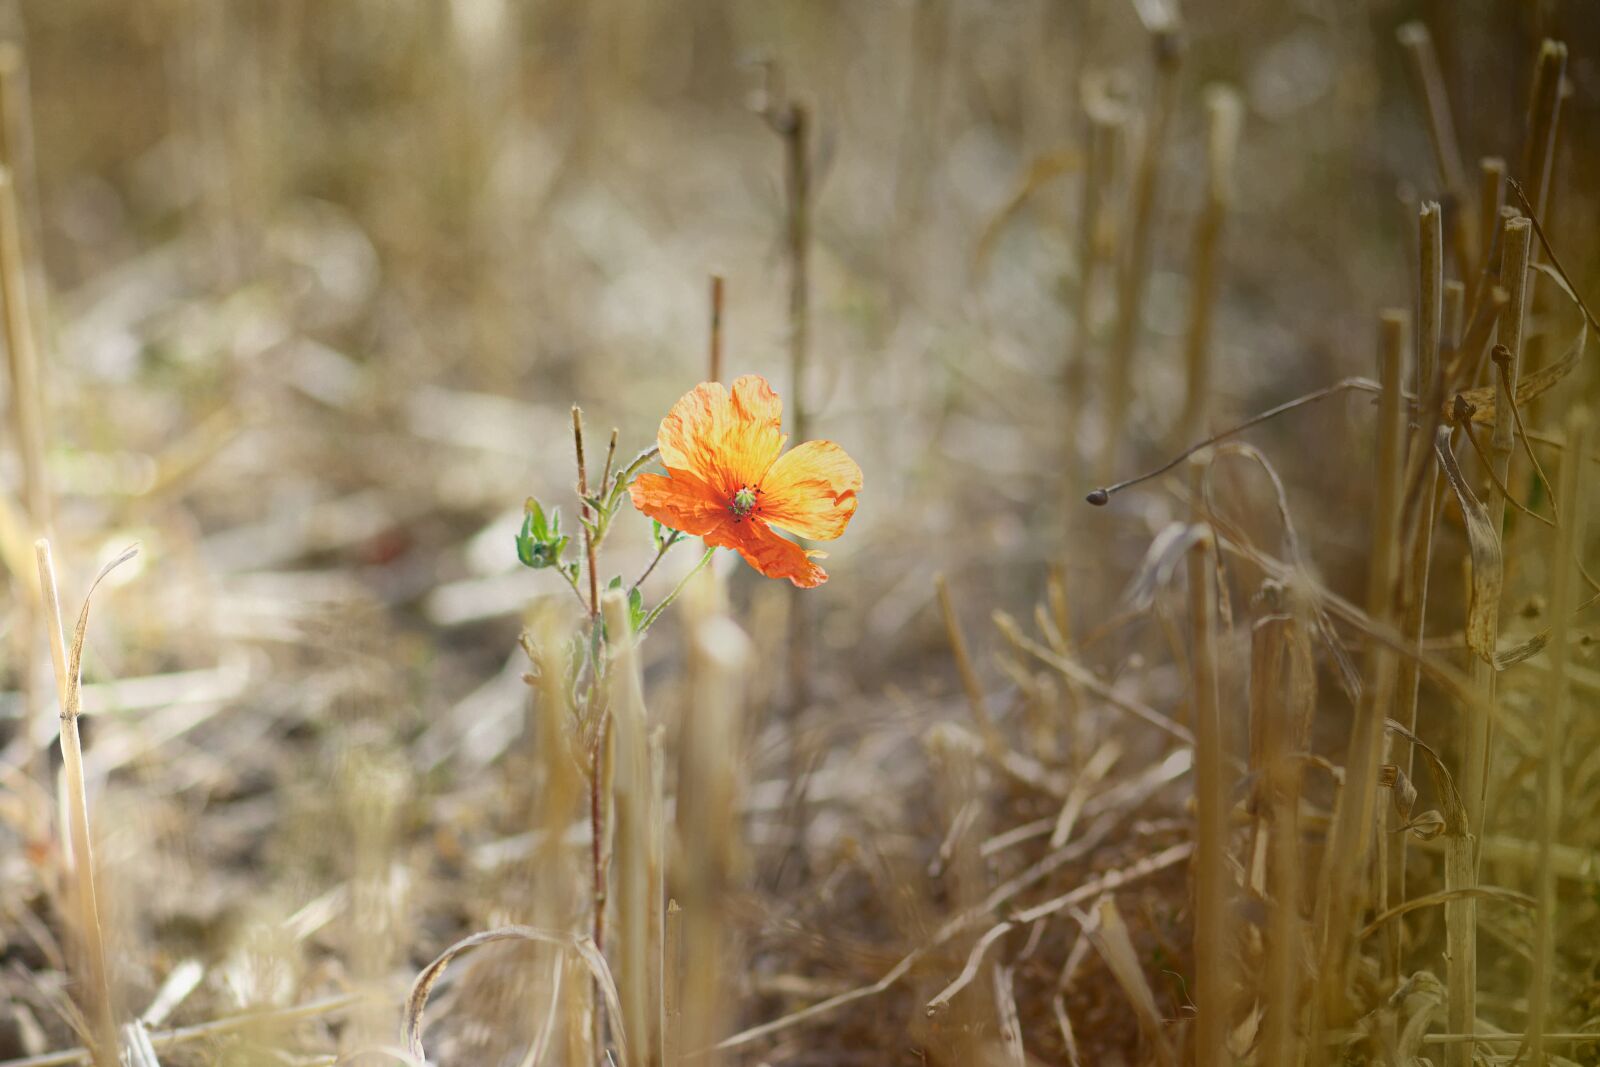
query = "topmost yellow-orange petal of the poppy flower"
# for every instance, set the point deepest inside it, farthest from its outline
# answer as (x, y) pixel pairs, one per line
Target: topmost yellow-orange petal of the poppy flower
(727, 441)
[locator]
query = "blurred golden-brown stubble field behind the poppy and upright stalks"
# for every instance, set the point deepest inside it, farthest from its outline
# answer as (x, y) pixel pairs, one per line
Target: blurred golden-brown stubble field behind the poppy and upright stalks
(314, 287)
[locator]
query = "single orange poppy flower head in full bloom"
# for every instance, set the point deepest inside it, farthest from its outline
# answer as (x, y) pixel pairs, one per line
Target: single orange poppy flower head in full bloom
(729, 484)
